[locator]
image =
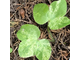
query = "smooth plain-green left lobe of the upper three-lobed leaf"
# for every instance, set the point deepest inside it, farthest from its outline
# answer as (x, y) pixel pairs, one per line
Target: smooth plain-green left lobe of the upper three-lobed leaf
(40, 13)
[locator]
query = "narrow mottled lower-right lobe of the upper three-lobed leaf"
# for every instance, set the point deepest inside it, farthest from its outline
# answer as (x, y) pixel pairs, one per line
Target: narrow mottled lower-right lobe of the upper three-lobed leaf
(59, 22)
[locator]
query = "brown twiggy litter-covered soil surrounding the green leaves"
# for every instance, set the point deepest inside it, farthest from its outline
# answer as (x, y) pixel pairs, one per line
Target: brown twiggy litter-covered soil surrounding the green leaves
(21, 12)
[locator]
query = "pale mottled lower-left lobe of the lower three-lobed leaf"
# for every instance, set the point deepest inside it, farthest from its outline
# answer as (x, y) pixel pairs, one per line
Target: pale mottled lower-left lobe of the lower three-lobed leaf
(27, 48)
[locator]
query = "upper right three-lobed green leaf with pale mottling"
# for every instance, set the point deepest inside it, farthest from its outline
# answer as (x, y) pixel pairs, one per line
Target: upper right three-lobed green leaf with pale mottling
(54, 14)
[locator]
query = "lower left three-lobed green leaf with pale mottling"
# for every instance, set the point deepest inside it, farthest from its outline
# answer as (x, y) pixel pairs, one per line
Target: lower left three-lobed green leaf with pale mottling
(30, 45)
